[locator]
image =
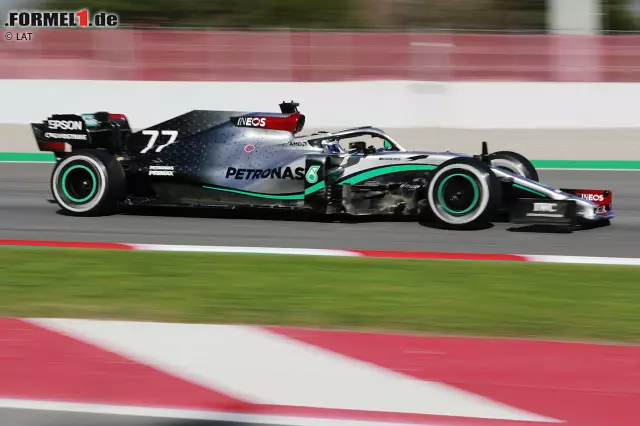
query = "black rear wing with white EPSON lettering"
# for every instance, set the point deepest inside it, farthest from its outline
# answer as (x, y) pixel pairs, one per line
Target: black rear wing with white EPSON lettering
(62, 133)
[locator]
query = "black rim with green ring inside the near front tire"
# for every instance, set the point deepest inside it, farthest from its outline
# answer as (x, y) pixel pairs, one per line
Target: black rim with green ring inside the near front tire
(458, 194)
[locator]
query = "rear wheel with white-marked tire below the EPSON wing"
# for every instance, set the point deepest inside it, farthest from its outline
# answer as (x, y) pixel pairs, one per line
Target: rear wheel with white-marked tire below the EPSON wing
(88, 183)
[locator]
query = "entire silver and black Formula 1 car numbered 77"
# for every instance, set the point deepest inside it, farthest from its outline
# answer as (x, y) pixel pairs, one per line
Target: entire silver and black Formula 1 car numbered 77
(231, 159)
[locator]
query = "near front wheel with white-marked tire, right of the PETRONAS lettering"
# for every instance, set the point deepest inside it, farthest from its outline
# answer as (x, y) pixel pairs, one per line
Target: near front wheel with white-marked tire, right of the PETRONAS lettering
(463, 193)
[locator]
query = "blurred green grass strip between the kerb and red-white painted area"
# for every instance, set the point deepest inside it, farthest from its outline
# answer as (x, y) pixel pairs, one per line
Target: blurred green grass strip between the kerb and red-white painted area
(454, 297)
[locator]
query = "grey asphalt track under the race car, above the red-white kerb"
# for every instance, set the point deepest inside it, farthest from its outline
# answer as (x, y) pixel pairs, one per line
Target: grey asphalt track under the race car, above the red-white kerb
(27, 213)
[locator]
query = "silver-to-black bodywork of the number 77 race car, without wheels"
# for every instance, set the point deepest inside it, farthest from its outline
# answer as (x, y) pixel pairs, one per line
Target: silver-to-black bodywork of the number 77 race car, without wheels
(224, 158)
